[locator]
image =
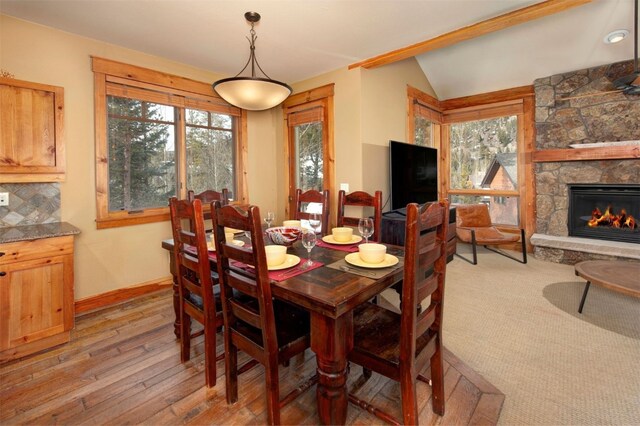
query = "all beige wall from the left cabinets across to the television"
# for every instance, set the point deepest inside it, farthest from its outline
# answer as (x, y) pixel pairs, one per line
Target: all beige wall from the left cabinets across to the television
(370, 109)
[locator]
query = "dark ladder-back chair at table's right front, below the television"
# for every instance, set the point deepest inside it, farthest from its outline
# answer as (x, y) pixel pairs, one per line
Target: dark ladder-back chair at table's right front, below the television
(400, 346)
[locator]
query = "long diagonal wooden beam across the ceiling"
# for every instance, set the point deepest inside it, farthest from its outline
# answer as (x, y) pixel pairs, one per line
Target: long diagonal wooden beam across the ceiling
(519, 16)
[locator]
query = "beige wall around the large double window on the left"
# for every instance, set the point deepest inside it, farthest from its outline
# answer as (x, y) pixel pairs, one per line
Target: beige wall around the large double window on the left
(112, 258)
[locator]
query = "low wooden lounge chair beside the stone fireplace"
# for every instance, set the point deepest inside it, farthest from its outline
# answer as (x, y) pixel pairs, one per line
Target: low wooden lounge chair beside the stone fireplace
(473, 226)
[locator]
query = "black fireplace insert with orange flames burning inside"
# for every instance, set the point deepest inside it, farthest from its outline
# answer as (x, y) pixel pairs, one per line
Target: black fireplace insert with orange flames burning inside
(620, 204)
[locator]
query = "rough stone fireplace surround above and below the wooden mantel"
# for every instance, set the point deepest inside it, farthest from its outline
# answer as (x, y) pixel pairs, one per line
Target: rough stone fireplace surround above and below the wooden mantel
(567, 123)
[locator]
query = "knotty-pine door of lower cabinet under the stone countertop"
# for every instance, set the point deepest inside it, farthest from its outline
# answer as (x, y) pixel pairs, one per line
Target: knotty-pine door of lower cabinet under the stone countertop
(33, 303)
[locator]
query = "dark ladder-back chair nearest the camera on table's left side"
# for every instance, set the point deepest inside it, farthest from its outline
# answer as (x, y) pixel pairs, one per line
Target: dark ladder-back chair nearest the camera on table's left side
(268, 330)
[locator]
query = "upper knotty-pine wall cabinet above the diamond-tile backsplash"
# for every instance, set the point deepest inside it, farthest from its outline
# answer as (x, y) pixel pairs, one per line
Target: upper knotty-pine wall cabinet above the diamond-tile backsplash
(31, 132)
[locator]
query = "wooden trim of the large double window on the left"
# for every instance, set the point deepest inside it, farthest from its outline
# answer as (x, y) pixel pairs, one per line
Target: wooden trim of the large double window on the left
(119, 79)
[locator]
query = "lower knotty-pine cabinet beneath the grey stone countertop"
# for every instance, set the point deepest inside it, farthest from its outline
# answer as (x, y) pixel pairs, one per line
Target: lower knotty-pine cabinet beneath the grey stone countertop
(36, 295)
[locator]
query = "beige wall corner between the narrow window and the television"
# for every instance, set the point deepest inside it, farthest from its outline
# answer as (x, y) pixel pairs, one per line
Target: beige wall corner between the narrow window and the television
(370, 109)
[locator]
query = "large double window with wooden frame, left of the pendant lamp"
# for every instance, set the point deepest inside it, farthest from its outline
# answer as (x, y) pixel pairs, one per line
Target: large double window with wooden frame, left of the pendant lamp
(158, 136)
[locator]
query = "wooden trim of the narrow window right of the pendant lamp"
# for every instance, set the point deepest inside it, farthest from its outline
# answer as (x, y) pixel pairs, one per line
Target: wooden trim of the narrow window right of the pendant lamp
(314, 98)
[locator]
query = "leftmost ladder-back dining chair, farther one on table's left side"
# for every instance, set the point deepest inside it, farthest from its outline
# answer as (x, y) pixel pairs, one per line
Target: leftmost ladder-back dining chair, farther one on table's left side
(198, 300)
